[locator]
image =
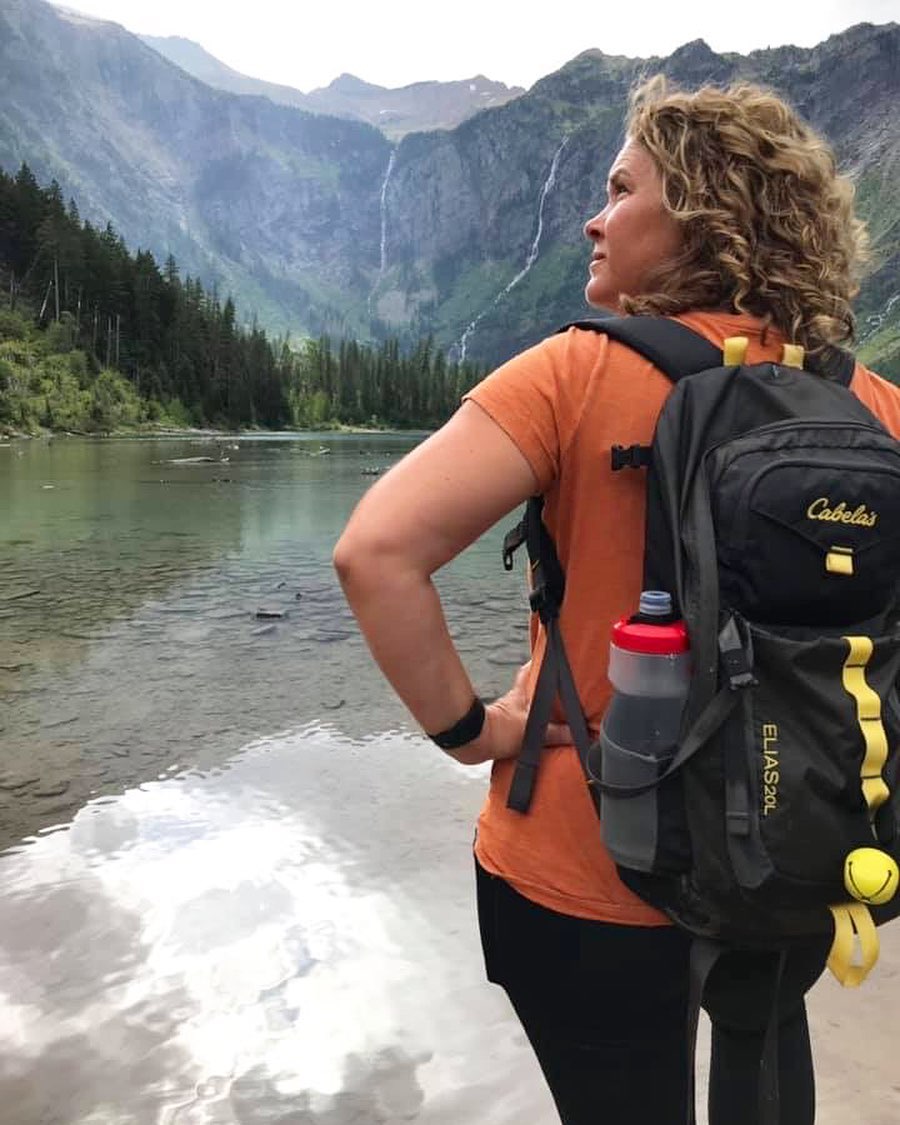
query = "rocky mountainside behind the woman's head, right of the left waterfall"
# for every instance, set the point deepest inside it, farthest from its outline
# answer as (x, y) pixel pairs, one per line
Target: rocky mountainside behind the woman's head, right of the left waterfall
(478, 191)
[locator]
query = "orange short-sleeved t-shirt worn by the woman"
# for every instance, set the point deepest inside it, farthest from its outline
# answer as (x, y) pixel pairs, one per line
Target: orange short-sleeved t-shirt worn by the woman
(565, 403)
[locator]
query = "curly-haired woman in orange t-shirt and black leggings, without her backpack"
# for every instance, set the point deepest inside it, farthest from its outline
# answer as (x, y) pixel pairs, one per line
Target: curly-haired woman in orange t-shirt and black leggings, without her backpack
(726, 212)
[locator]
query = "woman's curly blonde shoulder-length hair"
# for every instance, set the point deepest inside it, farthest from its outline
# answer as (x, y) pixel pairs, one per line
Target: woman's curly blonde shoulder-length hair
(769, 222)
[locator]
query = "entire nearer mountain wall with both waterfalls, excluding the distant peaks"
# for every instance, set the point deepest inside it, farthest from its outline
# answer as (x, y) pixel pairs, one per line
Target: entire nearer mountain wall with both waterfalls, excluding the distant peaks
(472, 235)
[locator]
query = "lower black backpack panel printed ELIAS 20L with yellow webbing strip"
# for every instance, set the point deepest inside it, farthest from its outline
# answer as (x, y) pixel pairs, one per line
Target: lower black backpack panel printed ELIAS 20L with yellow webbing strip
(822, 748)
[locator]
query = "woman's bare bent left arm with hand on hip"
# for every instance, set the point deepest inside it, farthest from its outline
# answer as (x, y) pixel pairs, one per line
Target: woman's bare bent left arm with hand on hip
(433, 506)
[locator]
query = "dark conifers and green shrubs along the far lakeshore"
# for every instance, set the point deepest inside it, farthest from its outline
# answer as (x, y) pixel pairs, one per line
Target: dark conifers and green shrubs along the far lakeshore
(94, 339)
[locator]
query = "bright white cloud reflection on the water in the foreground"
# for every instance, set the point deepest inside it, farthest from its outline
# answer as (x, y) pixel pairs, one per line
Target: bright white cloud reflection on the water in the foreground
(260, 947)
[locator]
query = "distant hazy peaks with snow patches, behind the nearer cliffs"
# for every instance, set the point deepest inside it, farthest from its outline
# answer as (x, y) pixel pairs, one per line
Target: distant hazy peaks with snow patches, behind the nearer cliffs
(416, 109)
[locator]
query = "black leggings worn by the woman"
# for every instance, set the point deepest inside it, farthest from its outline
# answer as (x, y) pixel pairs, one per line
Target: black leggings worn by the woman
(606, 1010)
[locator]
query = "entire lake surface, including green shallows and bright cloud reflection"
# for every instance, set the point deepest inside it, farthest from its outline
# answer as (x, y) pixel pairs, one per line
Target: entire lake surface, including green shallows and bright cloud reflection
(237, 886)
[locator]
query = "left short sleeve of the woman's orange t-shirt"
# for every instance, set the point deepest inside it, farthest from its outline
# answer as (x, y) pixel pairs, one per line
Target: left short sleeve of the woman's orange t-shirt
(538, 397)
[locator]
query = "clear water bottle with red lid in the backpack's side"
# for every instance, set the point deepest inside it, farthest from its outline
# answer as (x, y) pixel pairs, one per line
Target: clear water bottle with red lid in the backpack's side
(650, 671)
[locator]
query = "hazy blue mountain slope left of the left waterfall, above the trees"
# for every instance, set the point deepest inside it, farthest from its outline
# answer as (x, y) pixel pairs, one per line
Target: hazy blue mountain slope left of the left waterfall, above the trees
(269, 203)
